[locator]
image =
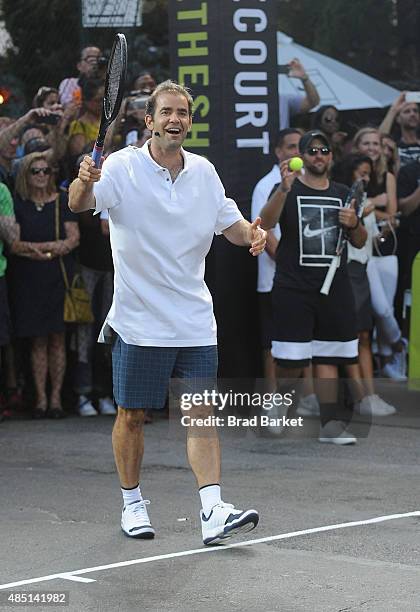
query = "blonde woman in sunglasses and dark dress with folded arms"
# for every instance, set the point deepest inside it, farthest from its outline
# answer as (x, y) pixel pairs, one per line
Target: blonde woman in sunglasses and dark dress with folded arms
(37, 287)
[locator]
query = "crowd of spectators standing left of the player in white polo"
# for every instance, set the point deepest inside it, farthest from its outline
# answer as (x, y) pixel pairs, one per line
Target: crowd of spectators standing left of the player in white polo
(41, 240)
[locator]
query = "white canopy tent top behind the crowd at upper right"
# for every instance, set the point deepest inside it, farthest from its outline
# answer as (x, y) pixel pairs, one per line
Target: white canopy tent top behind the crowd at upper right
(337, 84)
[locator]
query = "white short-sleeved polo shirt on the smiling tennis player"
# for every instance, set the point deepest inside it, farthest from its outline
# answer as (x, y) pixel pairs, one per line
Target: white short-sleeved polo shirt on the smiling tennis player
(160, 235)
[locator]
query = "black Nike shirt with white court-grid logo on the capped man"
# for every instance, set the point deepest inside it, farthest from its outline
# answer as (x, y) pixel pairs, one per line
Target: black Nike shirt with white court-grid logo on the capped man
(310, 231)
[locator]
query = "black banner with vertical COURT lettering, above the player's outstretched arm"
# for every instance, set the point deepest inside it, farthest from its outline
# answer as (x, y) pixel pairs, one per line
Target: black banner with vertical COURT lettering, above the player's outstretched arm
(226, 52)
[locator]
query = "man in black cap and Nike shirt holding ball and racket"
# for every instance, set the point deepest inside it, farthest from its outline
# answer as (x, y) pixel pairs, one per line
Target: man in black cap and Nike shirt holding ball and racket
(309, 326)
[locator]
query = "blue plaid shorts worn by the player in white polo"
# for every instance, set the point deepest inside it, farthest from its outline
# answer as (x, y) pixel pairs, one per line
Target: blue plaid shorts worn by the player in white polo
(141, 374)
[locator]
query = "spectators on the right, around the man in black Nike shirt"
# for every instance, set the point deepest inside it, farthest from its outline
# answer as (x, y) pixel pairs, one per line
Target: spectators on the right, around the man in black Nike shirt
(387, 158)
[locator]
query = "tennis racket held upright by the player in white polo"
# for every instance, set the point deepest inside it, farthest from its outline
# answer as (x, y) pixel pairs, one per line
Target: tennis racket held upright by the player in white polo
(114, 89)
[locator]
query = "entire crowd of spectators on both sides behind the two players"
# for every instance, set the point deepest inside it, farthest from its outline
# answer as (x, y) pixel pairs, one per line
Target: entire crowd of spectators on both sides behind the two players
(39, 156)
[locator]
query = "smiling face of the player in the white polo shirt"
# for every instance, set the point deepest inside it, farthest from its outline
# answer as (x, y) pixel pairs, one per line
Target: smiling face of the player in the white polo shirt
(171, 120)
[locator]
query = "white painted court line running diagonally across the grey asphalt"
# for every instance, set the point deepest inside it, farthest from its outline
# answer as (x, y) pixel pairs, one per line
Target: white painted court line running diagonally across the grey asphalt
(72, 575)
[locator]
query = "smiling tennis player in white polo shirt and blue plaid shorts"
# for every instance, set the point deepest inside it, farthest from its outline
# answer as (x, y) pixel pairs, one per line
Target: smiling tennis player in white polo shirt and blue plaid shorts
(164, 204)
